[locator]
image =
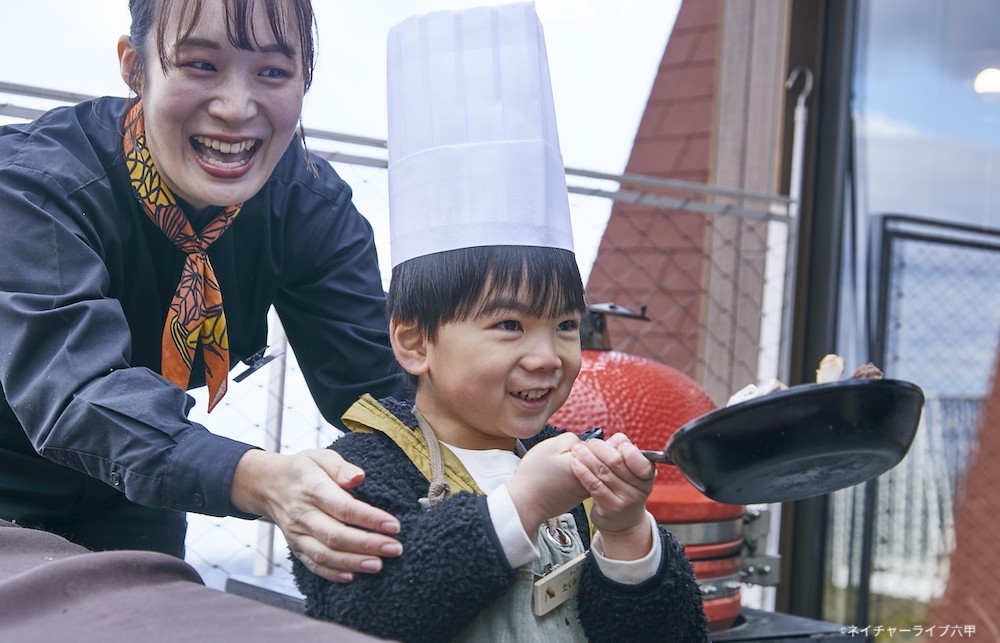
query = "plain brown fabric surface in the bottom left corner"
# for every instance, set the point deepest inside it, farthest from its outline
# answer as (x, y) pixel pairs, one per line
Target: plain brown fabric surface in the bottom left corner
(52, 589)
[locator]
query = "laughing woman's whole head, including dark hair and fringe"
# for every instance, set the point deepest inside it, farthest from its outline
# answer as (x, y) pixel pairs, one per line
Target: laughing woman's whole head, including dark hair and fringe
(222, 104)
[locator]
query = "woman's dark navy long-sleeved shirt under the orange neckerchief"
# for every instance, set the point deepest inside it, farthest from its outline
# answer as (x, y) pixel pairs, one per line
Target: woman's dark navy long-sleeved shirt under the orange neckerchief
(85, 281)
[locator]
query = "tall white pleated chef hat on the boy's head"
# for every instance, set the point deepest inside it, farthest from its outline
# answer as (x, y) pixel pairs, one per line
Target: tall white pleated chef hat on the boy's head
(473, 151)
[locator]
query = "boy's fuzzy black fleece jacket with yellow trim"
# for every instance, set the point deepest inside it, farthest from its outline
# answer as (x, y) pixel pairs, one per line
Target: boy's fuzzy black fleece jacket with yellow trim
(453, 567)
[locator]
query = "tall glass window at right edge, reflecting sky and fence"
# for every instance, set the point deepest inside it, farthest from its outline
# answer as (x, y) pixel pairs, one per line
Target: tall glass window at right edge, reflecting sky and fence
(921, 298)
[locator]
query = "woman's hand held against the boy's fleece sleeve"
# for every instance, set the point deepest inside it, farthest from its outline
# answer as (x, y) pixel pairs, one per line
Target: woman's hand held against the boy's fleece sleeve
(330, 531)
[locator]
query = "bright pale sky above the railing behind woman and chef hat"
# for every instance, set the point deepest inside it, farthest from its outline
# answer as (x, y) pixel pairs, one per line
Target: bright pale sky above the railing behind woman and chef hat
(603, 56)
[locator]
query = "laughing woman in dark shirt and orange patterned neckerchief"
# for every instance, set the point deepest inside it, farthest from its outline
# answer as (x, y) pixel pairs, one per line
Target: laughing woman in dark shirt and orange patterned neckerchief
(144, 243)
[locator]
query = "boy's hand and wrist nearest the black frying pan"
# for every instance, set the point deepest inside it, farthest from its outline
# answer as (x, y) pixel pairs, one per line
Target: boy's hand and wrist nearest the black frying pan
(619, 479)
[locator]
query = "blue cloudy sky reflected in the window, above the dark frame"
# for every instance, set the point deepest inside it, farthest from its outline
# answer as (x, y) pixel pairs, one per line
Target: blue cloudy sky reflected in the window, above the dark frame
(926, 140)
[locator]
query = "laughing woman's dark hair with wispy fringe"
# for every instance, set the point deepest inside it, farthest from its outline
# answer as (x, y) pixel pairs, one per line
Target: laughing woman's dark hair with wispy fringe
(150, 17)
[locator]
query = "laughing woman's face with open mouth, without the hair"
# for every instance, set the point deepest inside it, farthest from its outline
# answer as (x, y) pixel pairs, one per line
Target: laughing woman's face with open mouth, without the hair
(217, 117)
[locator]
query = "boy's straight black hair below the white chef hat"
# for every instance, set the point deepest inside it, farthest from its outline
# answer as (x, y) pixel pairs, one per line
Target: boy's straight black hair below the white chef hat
(454, 286)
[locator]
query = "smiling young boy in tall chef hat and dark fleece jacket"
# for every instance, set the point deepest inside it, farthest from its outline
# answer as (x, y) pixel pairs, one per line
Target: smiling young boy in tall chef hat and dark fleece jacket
(485, 304)
